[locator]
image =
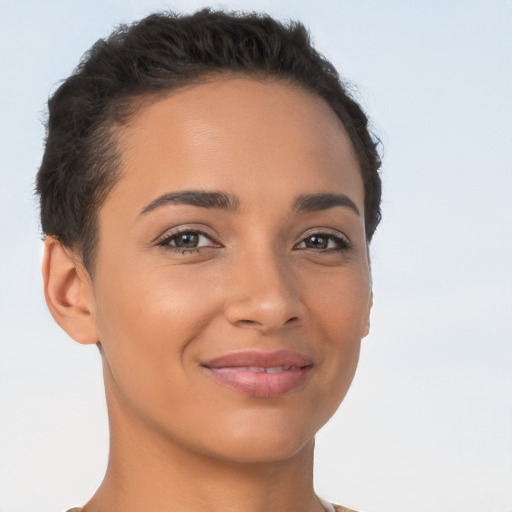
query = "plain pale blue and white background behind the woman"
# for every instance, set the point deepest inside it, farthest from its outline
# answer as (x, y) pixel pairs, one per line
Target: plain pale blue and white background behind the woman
(427, 425)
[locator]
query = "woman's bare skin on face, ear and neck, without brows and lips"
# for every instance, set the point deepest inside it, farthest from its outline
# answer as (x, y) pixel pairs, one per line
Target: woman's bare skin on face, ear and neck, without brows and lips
(257, 281)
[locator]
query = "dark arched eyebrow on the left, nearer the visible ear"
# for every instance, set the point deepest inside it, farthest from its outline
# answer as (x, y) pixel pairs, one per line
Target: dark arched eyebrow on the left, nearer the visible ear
(201, 198)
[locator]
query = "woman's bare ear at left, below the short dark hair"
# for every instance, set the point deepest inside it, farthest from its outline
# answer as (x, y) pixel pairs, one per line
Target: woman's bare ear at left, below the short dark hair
(68, 291)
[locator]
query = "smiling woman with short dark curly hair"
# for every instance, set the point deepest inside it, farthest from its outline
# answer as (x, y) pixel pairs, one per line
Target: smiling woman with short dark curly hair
(208, 193)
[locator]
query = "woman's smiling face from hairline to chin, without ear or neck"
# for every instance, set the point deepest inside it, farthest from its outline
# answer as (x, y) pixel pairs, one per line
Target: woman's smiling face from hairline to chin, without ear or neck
(232, 287)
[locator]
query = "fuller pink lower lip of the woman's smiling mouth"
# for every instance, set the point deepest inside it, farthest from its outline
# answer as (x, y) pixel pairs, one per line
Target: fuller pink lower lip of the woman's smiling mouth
(260, 384)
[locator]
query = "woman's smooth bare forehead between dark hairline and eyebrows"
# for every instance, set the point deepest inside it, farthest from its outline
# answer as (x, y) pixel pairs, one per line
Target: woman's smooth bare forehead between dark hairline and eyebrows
(251, 137)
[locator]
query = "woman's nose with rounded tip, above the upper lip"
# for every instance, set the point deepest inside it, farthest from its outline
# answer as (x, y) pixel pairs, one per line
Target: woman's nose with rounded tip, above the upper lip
(264, 295)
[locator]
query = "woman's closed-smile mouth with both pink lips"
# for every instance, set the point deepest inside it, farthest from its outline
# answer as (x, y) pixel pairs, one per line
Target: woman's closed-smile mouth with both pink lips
(260, 374)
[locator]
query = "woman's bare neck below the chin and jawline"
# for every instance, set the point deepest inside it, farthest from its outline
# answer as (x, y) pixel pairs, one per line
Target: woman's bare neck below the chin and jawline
(148, 471)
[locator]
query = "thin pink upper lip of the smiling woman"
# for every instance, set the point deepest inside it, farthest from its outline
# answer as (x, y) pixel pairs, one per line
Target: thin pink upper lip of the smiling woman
(260, 359)
